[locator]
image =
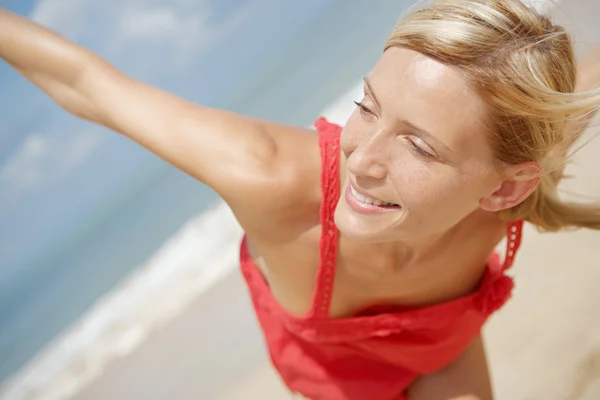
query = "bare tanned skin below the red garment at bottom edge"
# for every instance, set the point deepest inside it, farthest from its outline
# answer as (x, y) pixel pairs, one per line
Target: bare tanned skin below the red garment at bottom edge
(467, 378)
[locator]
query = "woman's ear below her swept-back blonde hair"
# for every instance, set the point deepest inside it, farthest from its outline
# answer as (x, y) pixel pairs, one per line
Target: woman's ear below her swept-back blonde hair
(521, 180)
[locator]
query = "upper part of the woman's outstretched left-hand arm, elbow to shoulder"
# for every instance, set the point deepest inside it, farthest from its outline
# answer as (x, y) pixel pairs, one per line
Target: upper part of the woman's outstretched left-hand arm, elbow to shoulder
(245, 160)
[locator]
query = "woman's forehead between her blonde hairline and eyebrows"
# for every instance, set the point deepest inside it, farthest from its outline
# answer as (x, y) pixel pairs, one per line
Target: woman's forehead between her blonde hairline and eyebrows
(430, 95)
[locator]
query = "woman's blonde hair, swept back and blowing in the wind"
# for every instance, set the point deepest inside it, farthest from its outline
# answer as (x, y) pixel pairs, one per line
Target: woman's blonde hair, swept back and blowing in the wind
(525, 70)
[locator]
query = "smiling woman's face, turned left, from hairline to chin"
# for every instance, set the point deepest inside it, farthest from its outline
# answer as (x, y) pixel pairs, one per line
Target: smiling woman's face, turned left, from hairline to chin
(416, 140)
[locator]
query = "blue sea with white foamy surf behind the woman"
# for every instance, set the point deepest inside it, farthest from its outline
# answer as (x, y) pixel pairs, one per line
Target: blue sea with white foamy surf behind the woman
(163, 230)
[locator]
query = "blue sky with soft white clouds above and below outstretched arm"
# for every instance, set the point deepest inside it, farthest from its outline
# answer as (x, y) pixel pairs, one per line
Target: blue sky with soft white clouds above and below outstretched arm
(55, 170)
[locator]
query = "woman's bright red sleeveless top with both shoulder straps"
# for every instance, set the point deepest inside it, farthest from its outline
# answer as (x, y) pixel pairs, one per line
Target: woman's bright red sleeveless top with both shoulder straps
(374, 357)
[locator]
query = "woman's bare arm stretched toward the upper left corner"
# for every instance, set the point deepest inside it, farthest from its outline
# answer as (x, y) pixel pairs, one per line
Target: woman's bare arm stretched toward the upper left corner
(246, 161)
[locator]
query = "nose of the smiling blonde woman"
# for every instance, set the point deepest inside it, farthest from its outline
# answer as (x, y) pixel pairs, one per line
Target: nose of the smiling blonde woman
(367, 158)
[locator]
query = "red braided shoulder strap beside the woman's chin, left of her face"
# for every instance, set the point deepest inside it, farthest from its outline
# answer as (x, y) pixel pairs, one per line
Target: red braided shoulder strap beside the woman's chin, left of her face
(329, 143)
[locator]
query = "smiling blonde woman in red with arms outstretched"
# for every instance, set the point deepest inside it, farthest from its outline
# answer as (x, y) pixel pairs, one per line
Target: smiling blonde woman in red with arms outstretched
(367, 247)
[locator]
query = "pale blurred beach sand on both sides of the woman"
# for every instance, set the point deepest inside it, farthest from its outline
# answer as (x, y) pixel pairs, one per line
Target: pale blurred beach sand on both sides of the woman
(544, 344)
